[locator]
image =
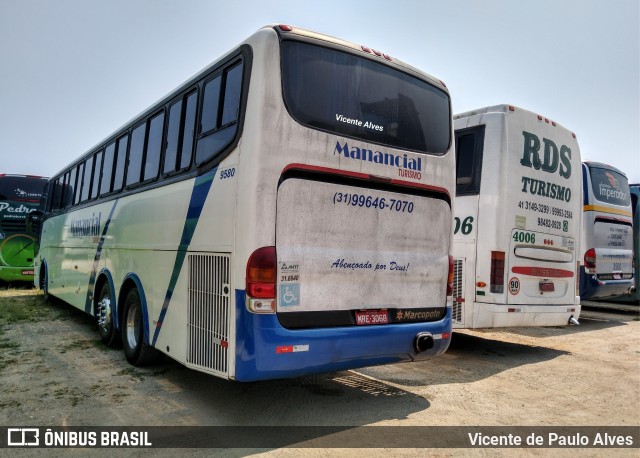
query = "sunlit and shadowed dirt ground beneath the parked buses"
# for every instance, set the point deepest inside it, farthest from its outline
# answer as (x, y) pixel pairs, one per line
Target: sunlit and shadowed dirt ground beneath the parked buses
(56, 372)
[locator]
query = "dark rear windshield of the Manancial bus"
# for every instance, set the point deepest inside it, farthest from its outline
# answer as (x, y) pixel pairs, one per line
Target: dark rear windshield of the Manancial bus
(353, 96)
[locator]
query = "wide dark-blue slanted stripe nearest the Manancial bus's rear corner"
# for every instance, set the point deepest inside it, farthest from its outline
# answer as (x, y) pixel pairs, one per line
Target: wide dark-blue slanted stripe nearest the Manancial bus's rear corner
(199, 195)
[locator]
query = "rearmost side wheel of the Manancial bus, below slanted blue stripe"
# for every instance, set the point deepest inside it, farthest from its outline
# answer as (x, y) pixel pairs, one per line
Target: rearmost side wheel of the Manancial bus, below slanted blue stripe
(137, 352)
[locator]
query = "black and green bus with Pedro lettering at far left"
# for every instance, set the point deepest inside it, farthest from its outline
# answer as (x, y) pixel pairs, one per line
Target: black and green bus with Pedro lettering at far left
(20, 195)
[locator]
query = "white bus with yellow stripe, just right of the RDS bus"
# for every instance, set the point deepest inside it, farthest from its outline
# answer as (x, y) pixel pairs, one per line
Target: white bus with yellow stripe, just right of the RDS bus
(606, 261)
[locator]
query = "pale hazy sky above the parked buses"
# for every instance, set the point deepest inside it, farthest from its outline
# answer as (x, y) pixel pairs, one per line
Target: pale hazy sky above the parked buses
(73, 71)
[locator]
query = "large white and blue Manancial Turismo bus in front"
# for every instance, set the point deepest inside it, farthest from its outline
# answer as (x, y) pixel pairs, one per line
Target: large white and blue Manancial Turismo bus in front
(287, 211)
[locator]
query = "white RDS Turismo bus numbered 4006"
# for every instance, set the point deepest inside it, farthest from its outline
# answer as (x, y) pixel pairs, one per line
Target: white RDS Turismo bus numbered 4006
(517, 220)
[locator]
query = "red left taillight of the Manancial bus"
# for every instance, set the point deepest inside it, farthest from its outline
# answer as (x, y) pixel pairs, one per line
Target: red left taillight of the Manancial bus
(261, 280)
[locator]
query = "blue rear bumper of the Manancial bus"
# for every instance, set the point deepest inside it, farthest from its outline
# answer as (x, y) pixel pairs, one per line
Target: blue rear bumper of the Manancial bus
(266, 350)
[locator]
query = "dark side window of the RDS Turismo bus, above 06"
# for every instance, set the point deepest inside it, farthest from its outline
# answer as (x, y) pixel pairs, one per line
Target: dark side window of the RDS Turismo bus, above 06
(469, 149)
